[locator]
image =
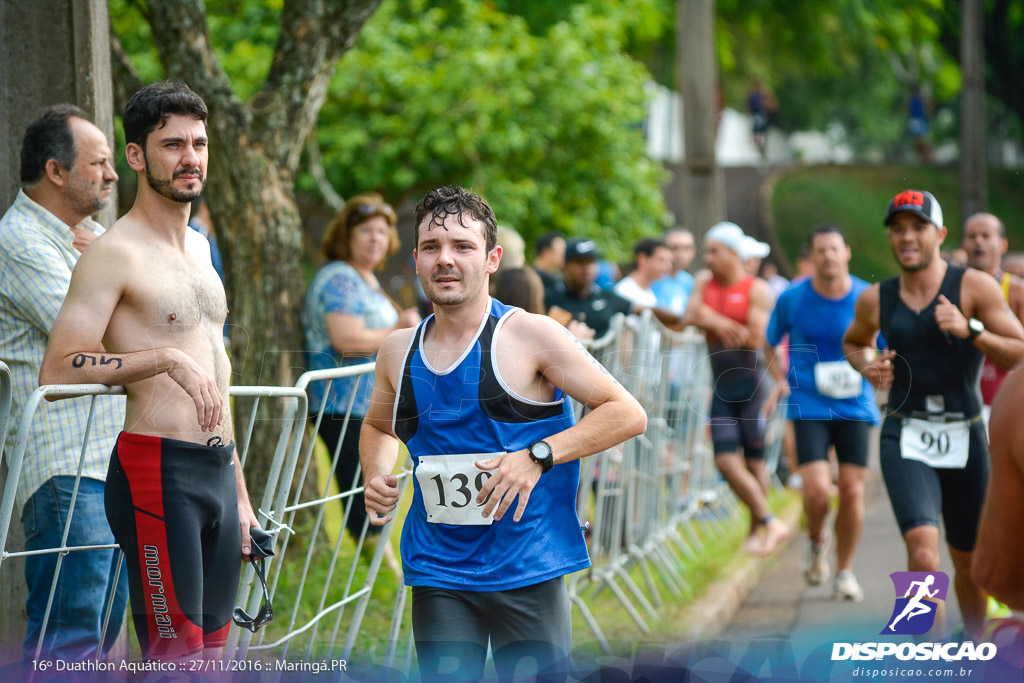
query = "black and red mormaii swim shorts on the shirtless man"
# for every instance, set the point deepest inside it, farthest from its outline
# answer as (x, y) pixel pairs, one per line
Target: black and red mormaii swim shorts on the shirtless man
(173, 506)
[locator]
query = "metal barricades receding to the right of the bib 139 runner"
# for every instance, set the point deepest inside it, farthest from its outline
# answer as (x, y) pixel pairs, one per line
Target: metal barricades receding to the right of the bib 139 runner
(655, 499)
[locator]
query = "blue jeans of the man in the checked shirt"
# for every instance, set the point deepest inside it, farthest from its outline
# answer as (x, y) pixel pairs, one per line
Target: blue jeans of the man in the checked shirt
(83, 589)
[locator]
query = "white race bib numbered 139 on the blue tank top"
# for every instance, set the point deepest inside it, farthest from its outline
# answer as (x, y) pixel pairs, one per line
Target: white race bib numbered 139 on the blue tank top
(450, 486)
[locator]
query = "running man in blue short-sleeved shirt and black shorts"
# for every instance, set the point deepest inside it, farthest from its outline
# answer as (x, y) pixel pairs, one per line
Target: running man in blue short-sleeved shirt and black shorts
(830, 404)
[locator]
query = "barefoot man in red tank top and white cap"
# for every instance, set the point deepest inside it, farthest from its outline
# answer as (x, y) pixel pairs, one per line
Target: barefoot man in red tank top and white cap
(734, 309)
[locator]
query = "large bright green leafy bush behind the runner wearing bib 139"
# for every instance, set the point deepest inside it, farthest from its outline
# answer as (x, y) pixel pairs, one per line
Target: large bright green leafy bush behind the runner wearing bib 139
(547, 127)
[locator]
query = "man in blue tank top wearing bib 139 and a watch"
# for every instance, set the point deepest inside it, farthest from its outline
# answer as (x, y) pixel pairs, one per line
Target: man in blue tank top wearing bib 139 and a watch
(480, 393)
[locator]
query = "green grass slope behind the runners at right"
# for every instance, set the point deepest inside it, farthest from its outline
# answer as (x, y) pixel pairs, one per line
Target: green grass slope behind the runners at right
(856, 198)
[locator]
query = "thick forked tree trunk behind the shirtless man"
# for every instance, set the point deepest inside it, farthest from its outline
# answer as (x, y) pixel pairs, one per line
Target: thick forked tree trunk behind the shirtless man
(254, 155)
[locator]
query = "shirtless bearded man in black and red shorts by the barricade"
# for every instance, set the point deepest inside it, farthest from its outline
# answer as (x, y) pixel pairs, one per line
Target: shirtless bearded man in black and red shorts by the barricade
(146, 311)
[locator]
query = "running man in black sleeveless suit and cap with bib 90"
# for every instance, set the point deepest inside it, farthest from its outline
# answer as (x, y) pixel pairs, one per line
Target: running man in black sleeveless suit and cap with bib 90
(940, 322)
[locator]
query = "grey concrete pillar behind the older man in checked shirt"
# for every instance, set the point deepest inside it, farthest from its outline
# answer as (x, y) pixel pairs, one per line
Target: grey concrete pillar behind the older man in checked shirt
(52, 52)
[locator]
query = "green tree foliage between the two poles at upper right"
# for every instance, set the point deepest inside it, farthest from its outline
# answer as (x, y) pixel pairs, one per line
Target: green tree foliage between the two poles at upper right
(850, 63)
